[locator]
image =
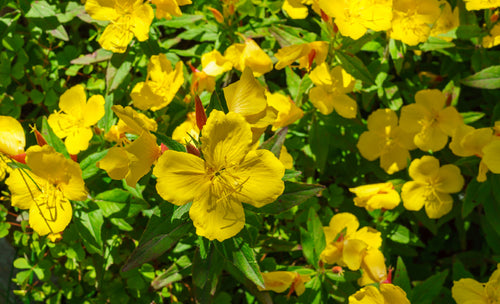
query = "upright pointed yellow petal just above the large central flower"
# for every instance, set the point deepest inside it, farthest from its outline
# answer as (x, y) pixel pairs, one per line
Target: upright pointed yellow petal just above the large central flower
(245, 96)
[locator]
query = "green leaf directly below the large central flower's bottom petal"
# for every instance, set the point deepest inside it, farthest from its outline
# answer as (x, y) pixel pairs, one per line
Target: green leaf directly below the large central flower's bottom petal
(243, 258)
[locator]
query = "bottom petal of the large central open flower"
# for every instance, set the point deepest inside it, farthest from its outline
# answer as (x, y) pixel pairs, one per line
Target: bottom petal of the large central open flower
(216, 217)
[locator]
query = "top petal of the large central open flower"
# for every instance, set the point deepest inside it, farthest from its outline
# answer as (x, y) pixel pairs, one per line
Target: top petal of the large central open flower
(225, 138)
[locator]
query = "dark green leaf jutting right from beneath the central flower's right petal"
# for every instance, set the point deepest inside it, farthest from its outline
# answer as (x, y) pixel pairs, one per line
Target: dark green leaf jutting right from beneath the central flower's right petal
(293, 195)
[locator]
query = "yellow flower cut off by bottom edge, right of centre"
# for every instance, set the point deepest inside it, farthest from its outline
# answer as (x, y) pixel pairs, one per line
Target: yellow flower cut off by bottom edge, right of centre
(385, 294)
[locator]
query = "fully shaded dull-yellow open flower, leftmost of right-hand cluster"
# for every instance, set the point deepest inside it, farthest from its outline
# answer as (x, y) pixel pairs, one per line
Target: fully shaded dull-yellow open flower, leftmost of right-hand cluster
(387, 140)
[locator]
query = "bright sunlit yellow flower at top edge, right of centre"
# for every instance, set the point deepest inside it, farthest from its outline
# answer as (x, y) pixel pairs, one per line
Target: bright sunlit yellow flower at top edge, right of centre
(353, 18)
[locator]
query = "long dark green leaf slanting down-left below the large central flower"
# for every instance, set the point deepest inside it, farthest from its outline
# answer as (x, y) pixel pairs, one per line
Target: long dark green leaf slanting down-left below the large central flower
(158, 245)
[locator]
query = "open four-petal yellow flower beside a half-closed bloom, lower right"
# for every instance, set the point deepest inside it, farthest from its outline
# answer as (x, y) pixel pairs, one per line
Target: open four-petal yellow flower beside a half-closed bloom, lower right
(431, 186)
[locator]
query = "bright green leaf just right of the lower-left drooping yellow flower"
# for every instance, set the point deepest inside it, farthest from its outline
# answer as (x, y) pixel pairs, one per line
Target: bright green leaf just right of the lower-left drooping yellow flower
(89, 225)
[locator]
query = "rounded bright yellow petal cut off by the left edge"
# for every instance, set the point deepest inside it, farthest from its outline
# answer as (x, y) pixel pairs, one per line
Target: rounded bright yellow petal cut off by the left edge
(12, 140)
